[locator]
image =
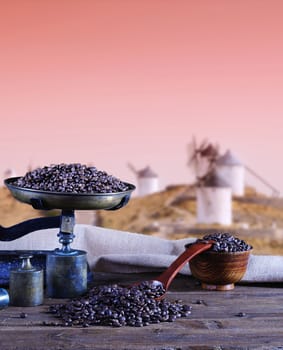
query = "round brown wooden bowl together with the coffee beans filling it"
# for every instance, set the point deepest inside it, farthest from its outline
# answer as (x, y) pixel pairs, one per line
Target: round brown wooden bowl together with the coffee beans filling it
(224, 264)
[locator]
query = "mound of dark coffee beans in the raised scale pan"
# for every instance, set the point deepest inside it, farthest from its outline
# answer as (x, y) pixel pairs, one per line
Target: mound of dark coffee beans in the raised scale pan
(73, 178)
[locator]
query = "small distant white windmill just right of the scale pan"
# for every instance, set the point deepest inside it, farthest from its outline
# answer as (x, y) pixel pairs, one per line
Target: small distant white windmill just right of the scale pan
(147, 180)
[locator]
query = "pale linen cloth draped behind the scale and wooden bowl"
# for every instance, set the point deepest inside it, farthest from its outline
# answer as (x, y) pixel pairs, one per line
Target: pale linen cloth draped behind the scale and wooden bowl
(111, 250)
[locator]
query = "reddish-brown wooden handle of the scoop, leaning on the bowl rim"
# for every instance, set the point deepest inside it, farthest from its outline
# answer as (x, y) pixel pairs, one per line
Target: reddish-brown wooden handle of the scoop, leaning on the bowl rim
(194, 249)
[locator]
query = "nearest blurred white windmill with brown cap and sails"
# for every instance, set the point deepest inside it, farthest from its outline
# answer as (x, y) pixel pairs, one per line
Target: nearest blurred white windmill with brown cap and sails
(213, 194)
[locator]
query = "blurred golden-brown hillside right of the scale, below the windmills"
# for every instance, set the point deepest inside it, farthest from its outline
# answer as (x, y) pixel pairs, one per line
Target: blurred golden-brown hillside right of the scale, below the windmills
(172, 214)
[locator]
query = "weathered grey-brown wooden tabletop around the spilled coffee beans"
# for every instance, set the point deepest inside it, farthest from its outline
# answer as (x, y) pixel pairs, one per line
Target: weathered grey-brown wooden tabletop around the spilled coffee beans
(248, 317)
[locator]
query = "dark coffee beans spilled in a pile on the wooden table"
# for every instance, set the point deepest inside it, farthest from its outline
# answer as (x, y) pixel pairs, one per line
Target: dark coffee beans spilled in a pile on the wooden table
(117, 306)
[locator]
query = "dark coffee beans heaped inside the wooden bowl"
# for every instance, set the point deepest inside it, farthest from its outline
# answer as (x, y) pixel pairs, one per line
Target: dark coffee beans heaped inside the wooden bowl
(225, 242)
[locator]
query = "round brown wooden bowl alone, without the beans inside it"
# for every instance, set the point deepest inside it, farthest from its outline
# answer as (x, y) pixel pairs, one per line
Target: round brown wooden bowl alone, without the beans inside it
(219, 270)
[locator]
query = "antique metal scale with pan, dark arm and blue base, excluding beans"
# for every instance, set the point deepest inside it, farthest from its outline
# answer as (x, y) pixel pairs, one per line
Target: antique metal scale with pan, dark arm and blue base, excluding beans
(66, 268)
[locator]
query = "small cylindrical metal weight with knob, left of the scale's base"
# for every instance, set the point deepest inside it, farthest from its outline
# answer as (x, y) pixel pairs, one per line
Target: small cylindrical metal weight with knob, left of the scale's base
(26, 284)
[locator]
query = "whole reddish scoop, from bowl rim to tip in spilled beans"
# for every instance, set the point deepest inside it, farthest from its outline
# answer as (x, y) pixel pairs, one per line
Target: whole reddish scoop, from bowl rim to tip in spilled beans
(163, 281)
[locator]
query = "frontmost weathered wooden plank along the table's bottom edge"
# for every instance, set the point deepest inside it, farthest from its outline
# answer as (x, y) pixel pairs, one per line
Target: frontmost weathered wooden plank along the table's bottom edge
(129, 338)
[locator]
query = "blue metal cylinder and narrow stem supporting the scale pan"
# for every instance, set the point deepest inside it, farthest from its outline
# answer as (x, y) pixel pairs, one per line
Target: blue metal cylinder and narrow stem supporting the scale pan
(66, 268)
